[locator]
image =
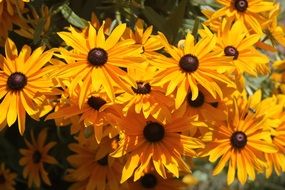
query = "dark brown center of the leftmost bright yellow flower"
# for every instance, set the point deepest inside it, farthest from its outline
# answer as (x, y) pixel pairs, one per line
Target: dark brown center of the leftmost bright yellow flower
(17, 81)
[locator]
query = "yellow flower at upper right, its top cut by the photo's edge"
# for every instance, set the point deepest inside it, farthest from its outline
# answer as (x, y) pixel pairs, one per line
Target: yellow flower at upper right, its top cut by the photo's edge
(249, 12)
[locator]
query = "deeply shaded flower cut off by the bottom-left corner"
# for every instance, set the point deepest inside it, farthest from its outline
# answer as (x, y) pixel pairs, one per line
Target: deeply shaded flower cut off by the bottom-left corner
(7, 178)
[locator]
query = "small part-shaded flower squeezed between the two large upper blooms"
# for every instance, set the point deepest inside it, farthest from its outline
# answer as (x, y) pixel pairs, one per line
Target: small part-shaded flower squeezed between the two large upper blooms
(146, 98)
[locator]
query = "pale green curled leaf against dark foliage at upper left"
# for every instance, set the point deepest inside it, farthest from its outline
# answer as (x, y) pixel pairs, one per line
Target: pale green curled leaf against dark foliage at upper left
(71, 17)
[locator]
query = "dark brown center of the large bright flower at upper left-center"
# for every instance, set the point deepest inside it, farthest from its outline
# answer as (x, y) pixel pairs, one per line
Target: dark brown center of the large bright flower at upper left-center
(97, 57)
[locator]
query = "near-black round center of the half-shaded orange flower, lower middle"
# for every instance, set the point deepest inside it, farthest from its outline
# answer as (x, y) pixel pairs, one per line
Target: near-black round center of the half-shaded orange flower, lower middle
(153, 132)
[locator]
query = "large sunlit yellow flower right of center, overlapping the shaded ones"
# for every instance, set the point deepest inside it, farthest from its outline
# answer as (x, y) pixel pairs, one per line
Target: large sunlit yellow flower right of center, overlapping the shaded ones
(192, 65)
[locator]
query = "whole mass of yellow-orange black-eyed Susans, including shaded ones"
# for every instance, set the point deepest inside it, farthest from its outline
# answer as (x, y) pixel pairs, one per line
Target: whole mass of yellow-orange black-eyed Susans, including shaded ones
(141, 108)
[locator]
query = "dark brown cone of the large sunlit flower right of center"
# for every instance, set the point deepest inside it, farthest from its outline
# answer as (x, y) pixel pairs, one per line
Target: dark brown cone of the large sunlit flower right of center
(189, 63)
